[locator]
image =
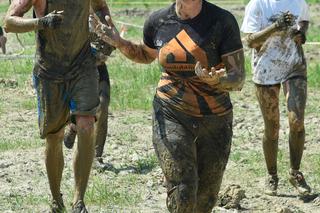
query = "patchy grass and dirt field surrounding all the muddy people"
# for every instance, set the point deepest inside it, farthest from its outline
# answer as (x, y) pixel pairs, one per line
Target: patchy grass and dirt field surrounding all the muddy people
(133, 87)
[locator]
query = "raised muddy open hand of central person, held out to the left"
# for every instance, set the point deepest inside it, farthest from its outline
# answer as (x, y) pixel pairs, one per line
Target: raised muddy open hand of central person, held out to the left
(107, 32)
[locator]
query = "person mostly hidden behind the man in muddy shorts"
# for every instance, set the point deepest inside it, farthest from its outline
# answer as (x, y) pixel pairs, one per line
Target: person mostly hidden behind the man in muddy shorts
(101, 50)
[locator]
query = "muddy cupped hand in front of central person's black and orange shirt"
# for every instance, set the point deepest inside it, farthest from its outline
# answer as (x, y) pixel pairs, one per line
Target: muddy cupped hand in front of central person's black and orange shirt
(211, 77)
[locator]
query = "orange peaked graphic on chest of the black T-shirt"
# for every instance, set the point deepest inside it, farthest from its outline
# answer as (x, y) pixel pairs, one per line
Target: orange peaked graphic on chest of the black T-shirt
(174, 55)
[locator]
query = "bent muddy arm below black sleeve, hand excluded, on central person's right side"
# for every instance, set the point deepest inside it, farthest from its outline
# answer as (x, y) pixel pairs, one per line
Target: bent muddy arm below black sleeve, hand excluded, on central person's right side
(235, 72)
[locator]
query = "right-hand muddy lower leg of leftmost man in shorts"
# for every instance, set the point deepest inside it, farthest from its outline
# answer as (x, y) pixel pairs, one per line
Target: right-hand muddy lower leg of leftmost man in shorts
(84, 154)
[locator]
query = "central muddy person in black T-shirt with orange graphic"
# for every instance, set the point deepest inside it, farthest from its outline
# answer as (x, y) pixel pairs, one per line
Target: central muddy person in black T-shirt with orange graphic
(200, 52)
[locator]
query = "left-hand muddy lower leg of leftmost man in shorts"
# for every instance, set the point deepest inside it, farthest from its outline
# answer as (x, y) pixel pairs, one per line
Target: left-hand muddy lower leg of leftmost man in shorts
(54, 163)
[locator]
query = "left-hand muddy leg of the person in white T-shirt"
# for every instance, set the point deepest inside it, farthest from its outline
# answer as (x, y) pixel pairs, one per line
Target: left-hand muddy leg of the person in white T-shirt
(268, 98)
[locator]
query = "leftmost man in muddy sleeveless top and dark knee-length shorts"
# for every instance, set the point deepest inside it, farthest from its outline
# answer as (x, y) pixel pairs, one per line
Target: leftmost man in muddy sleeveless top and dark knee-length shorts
(66, 81)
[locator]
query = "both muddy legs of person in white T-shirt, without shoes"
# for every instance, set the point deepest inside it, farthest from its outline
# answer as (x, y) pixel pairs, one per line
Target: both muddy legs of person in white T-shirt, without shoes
(295, 92)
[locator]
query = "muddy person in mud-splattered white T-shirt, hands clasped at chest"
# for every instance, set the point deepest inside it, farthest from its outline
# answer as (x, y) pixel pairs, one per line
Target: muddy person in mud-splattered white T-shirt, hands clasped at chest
(276, 30)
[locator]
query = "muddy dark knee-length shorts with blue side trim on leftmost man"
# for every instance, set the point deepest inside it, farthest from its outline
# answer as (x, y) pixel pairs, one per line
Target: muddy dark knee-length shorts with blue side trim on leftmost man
(56, 101)
